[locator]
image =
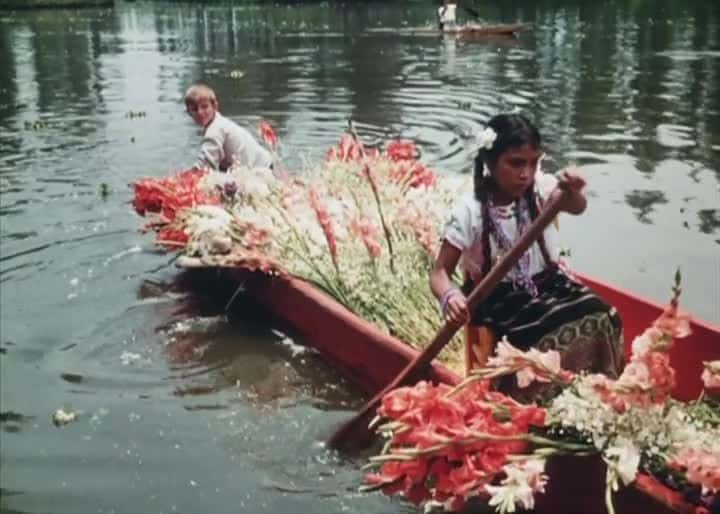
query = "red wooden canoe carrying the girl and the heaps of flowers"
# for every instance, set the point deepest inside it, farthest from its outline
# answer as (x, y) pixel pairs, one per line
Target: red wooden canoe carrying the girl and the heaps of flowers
(371, 358)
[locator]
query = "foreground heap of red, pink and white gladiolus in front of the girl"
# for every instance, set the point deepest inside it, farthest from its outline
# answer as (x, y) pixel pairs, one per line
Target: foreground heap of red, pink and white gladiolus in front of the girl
(446, 445)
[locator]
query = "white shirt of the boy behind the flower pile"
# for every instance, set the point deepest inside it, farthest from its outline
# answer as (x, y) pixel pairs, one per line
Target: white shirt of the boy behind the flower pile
(225, 142)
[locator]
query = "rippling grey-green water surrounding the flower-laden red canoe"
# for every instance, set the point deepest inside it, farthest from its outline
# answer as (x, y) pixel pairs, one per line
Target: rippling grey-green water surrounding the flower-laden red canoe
(181, 407)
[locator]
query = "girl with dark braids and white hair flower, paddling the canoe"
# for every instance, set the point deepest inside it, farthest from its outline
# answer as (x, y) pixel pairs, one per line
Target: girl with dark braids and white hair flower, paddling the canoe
(537, 304)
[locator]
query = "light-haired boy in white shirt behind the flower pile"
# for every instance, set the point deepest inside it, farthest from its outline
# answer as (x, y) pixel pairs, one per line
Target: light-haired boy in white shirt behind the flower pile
(224, 141)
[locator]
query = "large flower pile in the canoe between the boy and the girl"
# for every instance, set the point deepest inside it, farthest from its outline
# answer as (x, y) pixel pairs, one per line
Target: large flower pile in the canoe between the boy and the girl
(363, 225)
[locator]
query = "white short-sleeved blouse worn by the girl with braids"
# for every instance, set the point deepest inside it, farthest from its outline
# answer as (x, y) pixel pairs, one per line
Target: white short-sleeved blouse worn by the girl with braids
(464, 231)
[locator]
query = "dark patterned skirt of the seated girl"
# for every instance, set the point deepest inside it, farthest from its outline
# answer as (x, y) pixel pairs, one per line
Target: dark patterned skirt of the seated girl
(565, 316)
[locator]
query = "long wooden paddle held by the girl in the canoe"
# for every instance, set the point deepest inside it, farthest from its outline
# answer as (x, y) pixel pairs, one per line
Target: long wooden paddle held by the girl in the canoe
(355, 433)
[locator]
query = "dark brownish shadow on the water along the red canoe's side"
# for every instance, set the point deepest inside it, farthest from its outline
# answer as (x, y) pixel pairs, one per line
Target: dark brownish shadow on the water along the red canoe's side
(270, 365)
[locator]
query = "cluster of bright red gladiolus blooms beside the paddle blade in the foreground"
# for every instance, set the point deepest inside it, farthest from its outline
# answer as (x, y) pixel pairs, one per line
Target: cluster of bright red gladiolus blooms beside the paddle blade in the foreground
(449, 443)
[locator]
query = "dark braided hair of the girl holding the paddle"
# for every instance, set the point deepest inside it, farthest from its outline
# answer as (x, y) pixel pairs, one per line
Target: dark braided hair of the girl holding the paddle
(512, 130)
